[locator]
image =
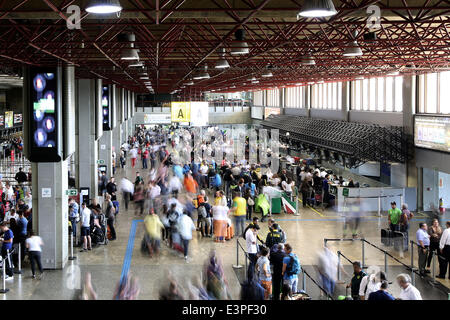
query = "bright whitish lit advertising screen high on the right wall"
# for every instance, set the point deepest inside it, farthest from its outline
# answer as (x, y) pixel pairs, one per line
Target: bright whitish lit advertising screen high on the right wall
(432, 132)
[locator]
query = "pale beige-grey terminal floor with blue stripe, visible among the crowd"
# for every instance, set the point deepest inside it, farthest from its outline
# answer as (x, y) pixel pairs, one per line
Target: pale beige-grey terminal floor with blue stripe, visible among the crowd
(106, 263)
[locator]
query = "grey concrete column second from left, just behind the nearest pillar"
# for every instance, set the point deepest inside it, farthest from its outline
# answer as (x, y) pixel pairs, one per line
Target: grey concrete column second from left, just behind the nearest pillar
(87, 171)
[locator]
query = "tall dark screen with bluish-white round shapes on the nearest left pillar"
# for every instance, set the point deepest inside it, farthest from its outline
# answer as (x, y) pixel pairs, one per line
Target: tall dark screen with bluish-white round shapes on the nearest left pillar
(43, 97)
